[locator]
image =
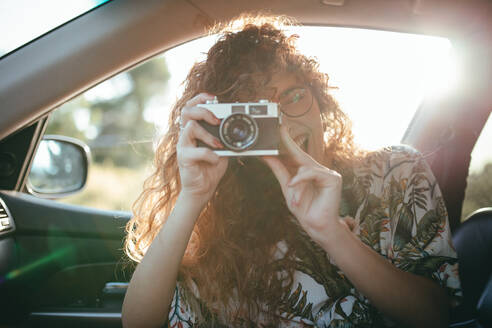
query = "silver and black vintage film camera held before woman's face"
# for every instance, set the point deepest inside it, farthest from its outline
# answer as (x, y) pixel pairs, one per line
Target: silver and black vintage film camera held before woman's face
(246, 129)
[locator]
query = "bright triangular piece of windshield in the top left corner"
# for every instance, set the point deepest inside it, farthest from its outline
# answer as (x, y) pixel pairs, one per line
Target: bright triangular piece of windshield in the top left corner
(24, 20)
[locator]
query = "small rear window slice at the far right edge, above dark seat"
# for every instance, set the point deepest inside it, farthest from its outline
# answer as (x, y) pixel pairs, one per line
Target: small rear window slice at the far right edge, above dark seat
(478, 192)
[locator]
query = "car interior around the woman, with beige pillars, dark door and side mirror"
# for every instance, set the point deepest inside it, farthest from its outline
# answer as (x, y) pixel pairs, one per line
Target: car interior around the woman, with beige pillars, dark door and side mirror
(62, 264)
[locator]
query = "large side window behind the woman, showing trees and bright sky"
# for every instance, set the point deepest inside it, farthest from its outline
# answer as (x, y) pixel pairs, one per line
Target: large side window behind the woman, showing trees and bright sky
(380, 79)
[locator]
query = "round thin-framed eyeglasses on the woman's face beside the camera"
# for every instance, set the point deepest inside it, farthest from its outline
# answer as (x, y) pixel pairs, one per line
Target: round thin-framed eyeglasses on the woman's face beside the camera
(296, 101)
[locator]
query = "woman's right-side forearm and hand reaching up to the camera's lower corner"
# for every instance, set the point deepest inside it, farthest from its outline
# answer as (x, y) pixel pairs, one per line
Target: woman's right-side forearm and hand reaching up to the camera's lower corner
(313, 196)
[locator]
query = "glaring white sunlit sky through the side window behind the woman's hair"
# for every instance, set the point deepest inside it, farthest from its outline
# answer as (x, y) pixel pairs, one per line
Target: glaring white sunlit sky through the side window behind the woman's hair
(381, 77)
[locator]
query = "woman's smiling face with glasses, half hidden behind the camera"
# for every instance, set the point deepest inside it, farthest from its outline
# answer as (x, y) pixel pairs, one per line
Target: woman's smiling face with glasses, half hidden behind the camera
(302, 115)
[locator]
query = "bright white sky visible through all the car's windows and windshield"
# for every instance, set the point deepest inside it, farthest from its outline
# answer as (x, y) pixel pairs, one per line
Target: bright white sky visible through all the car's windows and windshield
(381, 77)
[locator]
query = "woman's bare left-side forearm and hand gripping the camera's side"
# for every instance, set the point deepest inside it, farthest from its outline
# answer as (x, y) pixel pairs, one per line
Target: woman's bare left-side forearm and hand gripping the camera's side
(150, 293)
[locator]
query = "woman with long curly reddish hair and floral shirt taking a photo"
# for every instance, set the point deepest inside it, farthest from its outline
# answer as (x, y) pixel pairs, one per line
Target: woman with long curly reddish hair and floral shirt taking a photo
(284, 241)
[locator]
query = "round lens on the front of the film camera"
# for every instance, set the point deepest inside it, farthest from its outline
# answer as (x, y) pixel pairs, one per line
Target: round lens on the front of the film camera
(238, 132)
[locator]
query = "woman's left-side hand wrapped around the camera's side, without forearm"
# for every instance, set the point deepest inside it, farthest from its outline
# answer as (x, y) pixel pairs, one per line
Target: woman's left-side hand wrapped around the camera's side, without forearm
(200, 169)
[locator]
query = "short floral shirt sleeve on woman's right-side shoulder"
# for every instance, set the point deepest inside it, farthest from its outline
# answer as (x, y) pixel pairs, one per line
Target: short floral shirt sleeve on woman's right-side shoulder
(417, 235)
